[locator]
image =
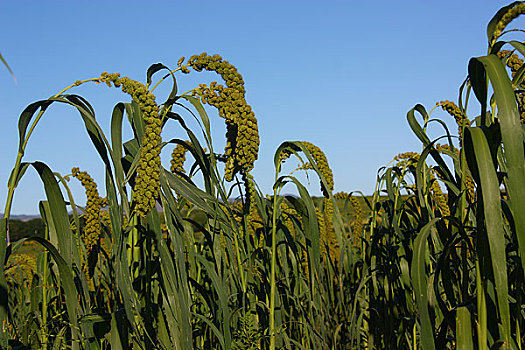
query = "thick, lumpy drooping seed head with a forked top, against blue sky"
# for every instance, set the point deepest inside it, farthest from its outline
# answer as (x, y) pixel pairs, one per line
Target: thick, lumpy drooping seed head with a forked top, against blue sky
(242, 135)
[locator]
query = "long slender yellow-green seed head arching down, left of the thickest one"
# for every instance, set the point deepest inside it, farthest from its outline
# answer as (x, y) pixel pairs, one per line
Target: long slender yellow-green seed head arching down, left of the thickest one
(147, 183)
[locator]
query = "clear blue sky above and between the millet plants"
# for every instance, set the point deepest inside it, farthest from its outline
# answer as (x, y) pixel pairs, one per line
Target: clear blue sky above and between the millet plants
(340, 74)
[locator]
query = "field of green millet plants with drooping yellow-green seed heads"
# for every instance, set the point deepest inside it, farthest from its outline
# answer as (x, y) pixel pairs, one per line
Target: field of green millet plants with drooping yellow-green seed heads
(192, 255)
